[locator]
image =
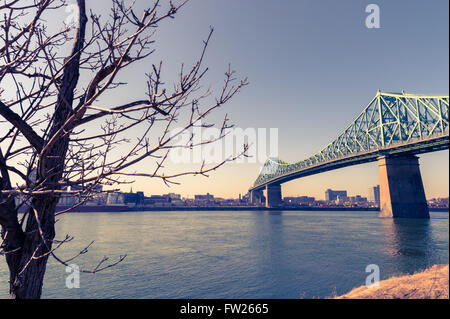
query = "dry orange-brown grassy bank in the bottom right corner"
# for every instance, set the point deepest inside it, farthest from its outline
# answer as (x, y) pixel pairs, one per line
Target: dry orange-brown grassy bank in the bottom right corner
(432, 283)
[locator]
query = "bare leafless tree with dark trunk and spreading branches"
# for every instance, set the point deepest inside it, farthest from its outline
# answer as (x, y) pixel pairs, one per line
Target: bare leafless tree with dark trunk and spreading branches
(58, 137)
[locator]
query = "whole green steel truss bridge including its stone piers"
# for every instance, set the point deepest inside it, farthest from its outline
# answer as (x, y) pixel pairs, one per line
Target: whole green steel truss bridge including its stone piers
(392, 129)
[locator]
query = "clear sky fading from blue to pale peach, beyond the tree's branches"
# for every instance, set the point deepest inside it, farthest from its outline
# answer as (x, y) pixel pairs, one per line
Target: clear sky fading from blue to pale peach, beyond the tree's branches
(312, 66)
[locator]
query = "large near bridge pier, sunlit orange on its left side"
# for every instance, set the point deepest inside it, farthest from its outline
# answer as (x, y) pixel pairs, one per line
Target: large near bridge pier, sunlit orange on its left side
(401, 188)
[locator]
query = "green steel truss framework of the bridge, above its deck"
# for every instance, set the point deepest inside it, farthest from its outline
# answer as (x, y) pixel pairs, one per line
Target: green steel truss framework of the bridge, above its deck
(390, 120)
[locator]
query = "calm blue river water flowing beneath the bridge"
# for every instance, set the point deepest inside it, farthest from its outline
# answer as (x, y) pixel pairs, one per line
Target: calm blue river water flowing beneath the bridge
(239, 254)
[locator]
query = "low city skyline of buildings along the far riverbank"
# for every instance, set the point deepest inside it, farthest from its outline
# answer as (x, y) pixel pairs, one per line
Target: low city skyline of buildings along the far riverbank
(138, 200)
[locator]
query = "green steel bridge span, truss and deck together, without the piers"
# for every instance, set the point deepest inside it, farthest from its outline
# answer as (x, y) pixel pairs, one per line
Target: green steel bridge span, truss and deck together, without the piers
(391, 124)
